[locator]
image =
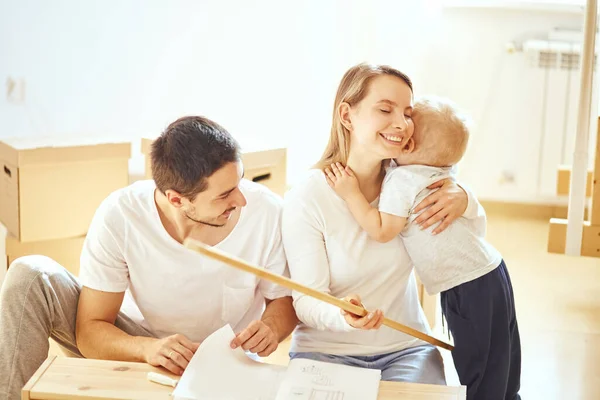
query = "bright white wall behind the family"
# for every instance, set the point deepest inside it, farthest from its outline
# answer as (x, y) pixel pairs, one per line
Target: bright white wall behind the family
(267, 70)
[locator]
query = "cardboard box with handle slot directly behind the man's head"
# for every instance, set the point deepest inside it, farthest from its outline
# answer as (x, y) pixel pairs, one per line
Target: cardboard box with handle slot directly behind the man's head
(265, 166)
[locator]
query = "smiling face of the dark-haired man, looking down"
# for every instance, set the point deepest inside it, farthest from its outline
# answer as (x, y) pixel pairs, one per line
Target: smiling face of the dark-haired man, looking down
(222, 196)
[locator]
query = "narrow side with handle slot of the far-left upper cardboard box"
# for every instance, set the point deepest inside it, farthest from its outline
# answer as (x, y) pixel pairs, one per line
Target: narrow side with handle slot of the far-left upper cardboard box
(9, 196)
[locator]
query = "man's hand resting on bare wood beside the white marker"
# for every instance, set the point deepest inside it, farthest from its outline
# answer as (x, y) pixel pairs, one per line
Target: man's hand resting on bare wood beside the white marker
(173, 352)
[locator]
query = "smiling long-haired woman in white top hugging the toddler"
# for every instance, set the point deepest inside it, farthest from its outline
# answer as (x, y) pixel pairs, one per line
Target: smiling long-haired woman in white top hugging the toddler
(327, 250)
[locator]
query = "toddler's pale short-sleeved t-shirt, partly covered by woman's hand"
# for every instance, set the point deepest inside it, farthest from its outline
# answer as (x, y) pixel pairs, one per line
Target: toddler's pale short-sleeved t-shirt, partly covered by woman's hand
(457, 255)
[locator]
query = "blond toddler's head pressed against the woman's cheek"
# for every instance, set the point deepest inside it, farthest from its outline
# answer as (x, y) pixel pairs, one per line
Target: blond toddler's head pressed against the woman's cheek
(441, 133)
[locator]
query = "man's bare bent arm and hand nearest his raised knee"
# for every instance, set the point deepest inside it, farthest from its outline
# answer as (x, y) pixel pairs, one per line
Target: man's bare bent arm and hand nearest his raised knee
(98, 337)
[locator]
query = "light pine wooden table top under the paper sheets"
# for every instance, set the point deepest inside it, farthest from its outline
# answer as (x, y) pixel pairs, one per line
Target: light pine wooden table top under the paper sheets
(76, 378)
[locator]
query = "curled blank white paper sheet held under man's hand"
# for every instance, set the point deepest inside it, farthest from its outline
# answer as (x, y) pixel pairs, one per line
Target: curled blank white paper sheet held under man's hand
(217, 372)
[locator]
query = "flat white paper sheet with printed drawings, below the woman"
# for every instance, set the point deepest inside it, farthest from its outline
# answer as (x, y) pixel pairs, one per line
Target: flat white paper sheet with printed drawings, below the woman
(315, 380)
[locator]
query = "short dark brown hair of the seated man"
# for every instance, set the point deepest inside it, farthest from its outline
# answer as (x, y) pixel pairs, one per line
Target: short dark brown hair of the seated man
(189, 151)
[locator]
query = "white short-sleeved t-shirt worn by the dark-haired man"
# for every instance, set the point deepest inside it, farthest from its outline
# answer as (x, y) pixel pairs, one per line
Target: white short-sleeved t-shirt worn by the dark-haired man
(171, 289)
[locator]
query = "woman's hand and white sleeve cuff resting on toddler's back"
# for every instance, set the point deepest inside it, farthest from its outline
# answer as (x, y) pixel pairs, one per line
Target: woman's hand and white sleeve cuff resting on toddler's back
(448, 203)
